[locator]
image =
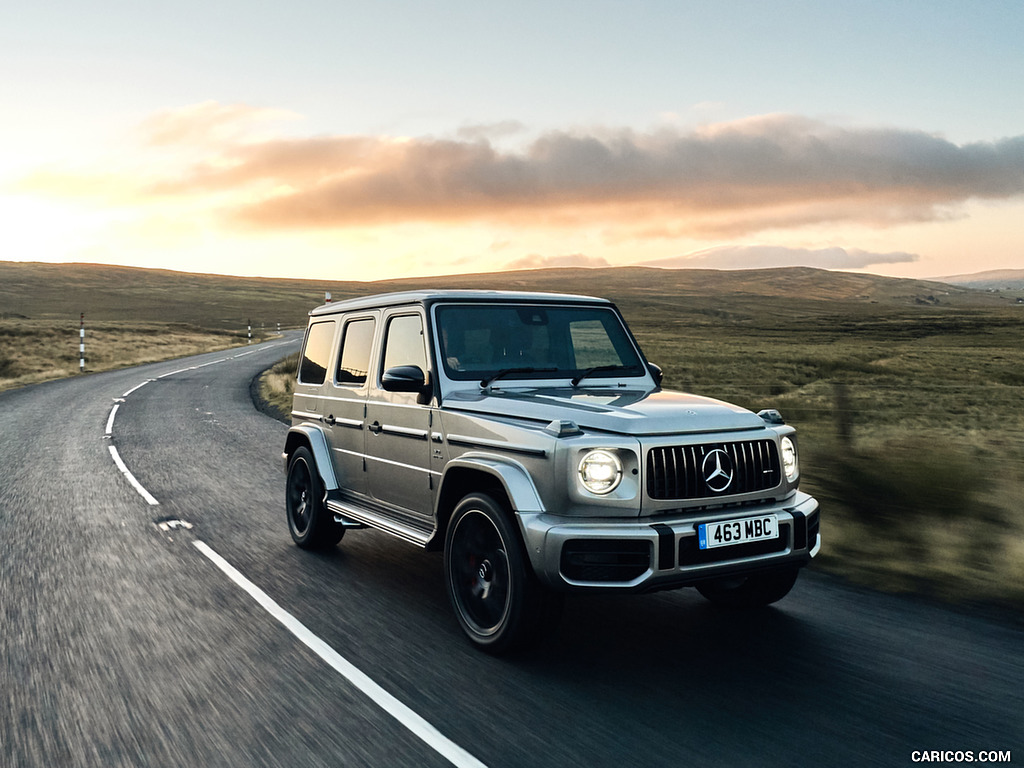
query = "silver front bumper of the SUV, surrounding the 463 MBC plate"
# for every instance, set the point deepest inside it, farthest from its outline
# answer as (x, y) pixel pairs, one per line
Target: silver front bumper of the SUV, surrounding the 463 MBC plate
(648, 554)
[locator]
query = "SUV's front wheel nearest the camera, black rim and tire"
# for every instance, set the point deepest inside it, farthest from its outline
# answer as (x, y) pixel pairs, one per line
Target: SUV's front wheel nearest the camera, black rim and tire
(497, 599)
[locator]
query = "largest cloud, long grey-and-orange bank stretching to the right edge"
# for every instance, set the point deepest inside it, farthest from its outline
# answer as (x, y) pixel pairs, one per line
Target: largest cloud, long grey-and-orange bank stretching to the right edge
(722, 181)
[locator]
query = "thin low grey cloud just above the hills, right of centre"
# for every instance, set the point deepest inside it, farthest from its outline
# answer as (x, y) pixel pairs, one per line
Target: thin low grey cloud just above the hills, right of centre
(760, 258)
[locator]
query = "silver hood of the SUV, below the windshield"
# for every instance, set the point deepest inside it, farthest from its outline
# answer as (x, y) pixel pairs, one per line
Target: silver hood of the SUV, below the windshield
(623, 412)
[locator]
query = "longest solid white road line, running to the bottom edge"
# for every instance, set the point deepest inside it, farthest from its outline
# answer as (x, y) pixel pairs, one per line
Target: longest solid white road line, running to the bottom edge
(424, 731)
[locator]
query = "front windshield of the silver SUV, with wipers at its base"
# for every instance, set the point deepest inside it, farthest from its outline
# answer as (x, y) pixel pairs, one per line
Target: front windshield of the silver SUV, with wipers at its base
(519, 342)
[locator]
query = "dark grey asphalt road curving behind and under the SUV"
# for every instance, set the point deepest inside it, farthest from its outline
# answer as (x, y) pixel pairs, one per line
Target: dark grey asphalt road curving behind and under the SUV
(123, 645)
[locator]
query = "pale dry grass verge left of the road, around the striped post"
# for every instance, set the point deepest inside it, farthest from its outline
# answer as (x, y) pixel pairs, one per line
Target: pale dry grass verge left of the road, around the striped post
(32, 352)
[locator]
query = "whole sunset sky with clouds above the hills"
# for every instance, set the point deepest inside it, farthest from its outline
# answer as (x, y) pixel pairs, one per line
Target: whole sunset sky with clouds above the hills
(353, 141)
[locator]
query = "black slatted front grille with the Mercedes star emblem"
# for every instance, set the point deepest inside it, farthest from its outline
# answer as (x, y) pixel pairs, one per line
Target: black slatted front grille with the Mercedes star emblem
(689, 472)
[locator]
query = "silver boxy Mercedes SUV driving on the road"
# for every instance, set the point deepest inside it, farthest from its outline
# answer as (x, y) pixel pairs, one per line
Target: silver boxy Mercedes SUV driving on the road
(527, 437)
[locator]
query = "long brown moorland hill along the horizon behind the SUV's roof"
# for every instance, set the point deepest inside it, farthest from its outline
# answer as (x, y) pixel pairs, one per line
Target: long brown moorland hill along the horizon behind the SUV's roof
(41, 291)
